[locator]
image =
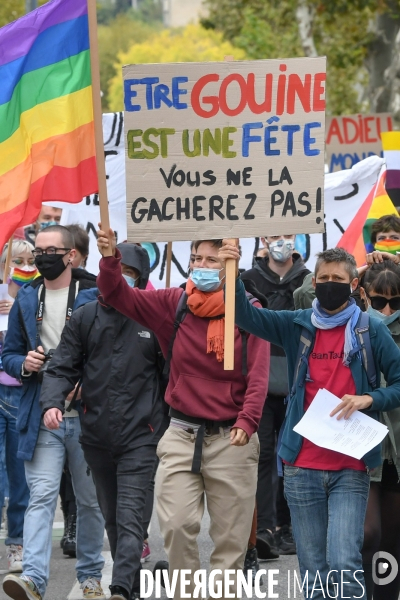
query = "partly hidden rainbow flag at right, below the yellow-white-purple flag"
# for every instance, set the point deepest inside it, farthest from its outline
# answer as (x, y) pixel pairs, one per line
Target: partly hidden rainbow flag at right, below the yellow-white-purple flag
(357, 237)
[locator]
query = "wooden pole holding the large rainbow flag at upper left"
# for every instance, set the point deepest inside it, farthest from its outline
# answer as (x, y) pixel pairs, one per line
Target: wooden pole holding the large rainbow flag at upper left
(98, 120)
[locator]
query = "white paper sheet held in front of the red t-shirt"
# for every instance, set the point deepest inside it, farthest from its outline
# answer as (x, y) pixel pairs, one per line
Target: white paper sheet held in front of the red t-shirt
(355, 436)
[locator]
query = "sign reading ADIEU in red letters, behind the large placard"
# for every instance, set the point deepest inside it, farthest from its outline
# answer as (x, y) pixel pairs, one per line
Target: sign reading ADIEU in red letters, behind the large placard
(352, 138)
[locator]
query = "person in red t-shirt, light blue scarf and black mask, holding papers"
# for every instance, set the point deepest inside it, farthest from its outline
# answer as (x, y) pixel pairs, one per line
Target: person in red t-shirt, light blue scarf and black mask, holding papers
(327, 491)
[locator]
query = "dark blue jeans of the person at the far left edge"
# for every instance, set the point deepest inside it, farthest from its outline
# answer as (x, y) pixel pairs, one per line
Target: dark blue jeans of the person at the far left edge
(18, 490)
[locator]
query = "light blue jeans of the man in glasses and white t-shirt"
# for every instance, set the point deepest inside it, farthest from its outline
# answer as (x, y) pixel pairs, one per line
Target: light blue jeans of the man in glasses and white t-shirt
(43, 474)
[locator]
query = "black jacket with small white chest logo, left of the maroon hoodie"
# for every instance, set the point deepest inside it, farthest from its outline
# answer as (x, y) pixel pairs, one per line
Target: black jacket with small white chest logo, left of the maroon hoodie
(120, 389)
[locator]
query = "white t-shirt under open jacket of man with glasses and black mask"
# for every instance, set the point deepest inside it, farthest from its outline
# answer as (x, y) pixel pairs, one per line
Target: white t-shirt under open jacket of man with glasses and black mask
(55, 310)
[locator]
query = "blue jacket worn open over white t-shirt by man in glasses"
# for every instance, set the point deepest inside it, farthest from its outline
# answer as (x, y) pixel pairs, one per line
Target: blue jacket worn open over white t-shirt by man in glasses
(14, 353)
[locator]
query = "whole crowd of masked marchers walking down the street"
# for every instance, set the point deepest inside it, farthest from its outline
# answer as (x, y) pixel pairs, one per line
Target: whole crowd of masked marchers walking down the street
(112, 392)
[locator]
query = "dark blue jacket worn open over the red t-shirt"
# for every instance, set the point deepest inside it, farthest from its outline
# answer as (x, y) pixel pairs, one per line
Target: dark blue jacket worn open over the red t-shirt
(283, 328)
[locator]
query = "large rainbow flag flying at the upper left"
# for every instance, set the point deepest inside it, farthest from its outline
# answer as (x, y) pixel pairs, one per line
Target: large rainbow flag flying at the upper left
(47, 148)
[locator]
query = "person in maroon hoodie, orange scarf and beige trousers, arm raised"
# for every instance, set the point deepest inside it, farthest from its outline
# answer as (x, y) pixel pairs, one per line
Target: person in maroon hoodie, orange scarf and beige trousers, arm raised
(211, 448)
